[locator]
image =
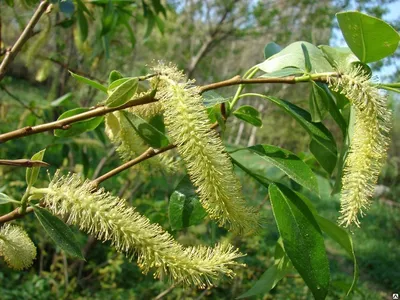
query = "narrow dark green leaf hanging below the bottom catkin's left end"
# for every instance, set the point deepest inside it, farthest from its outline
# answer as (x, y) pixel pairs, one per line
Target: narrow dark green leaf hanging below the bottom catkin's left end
(60, 233)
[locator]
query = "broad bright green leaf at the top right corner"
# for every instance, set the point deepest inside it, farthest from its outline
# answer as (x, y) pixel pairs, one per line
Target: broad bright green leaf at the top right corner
(370, 38)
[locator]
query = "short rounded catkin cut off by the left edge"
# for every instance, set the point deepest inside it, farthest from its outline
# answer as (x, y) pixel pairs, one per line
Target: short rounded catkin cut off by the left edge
(16, 247)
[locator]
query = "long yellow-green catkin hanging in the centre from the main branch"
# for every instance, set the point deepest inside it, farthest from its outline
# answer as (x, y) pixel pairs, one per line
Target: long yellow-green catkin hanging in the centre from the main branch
(207, 162)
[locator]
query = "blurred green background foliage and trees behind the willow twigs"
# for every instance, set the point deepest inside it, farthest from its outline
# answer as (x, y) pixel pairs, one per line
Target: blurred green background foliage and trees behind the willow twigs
(211, 40)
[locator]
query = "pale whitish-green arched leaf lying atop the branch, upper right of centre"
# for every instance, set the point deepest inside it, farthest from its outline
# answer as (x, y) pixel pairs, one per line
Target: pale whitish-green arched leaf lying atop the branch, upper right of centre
(293, 56)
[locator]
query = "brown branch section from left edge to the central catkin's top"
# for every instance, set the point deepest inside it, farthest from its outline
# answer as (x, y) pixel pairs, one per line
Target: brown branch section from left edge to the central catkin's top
(65, 123)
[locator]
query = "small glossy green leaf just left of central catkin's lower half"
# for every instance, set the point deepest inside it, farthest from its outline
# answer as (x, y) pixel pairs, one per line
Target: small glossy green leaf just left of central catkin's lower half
(184, 208)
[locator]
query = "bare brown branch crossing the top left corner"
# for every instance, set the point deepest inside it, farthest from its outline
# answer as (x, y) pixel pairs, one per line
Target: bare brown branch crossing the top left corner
(26, 34)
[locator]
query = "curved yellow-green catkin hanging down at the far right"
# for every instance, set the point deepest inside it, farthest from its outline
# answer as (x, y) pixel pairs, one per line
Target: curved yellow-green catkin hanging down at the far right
(368, 145)
